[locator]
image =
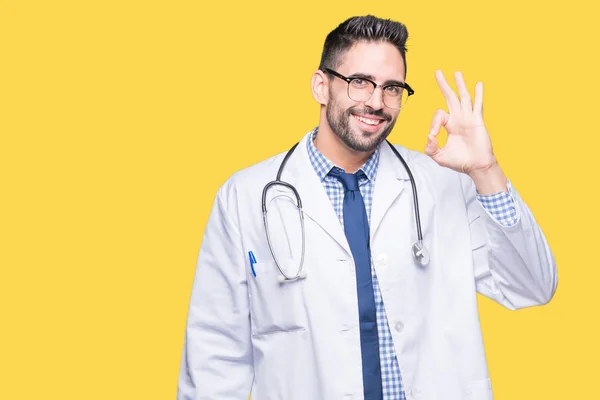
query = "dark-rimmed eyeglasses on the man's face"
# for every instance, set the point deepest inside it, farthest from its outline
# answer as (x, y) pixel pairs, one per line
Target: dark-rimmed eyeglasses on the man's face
(361, 89)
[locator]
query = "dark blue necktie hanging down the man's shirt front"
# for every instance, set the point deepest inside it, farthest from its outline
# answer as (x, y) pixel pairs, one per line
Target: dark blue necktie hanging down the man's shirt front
(356, 227)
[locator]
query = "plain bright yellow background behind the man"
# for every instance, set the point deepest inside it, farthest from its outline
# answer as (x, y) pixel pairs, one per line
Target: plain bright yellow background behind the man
(120, 119)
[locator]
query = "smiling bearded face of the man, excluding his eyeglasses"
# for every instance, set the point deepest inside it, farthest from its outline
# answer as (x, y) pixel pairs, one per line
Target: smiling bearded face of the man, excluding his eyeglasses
(362, 126)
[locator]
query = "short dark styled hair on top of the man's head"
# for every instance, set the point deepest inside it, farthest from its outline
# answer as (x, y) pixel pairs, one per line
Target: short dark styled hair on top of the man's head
(366, 28)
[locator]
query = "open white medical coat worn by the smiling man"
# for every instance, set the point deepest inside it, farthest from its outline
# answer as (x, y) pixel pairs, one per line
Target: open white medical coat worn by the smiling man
(300, 340)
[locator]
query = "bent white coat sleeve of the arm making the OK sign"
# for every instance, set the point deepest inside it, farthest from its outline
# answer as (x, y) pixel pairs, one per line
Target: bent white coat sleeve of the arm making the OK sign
(514, 265)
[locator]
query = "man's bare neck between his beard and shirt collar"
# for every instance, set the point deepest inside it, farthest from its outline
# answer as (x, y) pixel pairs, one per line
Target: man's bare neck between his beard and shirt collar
(335, 150)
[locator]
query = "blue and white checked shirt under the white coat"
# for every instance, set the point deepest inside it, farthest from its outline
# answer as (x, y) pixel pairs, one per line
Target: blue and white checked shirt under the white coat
(500, 206)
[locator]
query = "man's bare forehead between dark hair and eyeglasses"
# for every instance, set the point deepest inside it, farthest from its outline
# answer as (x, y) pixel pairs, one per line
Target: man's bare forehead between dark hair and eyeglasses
(382, 60)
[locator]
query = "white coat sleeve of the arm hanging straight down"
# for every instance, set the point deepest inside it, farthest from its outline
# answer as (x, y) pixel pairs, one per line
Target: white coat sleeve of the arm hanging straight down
(217, 355)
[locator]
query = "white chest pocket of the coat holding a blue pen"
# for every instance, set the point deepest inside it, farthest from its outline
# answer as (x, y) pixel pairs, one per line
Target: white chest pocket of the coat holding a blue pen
(276, 306)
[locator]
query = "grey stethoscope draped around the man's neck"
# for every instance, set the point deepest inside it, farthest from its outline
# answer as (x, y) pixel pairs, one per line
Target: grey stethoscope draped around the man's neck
(419, 252)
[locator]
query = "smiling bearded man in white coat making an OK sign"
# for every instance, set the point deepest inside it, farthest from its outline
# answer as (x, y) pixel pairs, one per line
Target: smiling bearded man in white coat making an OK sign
(363, 318)
